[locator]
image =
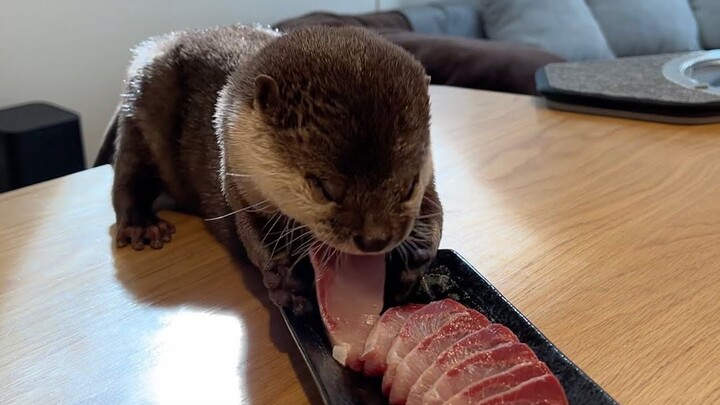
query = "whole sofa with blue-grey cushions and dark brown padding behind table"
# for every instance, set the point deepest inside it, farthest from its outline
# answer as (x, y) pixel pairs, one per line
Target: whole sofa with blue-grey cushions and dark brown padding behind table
(499, 44)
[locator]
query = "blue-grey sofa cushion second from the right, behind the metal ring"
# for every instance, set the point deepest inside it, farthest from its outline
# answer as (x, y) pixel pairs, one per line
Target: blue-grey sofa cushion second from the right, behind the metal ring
(644, 27)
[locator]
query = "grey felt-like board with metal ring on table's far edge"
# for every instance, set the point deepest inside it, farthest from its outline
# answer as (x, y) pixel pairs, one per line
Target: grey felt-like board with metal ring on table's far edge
(674, 88)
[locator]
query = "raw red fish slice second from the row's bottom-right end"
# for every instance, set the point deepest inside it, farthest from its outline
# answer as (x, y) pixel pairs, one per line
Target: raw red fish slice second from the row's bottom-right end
(499, 383)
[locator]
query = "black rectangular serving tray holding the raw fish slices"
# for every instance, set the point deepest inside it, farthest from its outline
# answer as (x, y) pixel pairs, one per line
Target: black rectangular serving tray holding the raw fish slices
(449, 276)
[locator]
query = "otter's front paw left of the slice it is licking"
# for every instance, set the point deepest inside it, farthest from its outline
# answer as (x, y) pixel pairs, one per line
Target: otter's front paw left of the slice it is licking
(286, 287)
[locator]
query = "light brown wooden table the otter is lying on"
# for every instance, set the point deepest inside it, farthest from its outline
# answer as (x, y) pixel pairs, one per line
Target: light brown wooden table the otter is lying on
(604, 232)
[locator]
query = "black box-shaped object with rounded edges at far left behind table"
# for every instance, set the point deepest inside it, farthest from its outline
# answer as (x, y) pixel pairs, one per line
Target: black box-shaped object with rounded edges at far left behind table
(38, 142)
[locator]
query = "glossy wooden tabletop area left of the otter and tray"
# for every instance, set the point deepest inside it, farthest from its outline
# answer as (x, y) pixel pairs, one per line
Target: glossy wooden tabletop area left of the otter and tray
(84, 323)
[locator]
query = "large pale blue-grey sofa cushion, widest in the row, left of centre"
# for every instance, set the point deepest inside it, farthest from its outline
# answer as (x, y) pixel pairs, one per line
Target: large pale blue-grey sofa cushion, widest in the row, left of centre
(563, 27)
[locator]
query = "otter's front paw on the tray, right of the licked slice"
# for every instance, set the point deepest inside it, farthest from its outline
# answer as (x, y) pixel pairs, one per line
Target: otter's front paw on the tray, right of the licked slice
(405, 272)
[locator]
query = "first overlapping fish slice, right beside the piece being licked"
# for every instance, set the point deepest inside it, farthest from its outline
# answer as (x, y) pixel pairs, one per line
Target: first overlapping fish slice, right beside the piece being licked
(381, 337)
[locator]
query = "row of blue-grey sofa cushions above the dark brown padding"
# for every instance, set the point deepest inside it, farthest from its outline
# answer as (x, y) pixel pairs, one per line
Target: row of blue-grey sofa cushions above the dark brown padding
(578, 29)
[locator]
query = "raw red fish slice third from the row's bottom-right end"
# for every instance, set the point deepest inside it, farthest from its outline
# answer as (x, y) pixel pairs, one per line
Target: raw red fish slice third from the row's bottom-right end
(477, 367)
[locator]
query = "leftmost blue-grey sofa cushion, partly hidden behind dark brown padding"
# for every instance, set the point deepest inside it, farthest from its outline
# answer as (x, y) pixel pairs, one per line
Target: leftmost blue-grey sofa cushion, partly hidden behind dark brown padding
(456, 19)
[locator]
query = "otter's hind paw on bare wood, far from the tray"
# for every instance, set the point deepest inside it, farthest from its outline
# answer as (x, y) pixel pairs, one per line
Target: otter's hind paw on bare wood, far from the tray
(139, 231)
